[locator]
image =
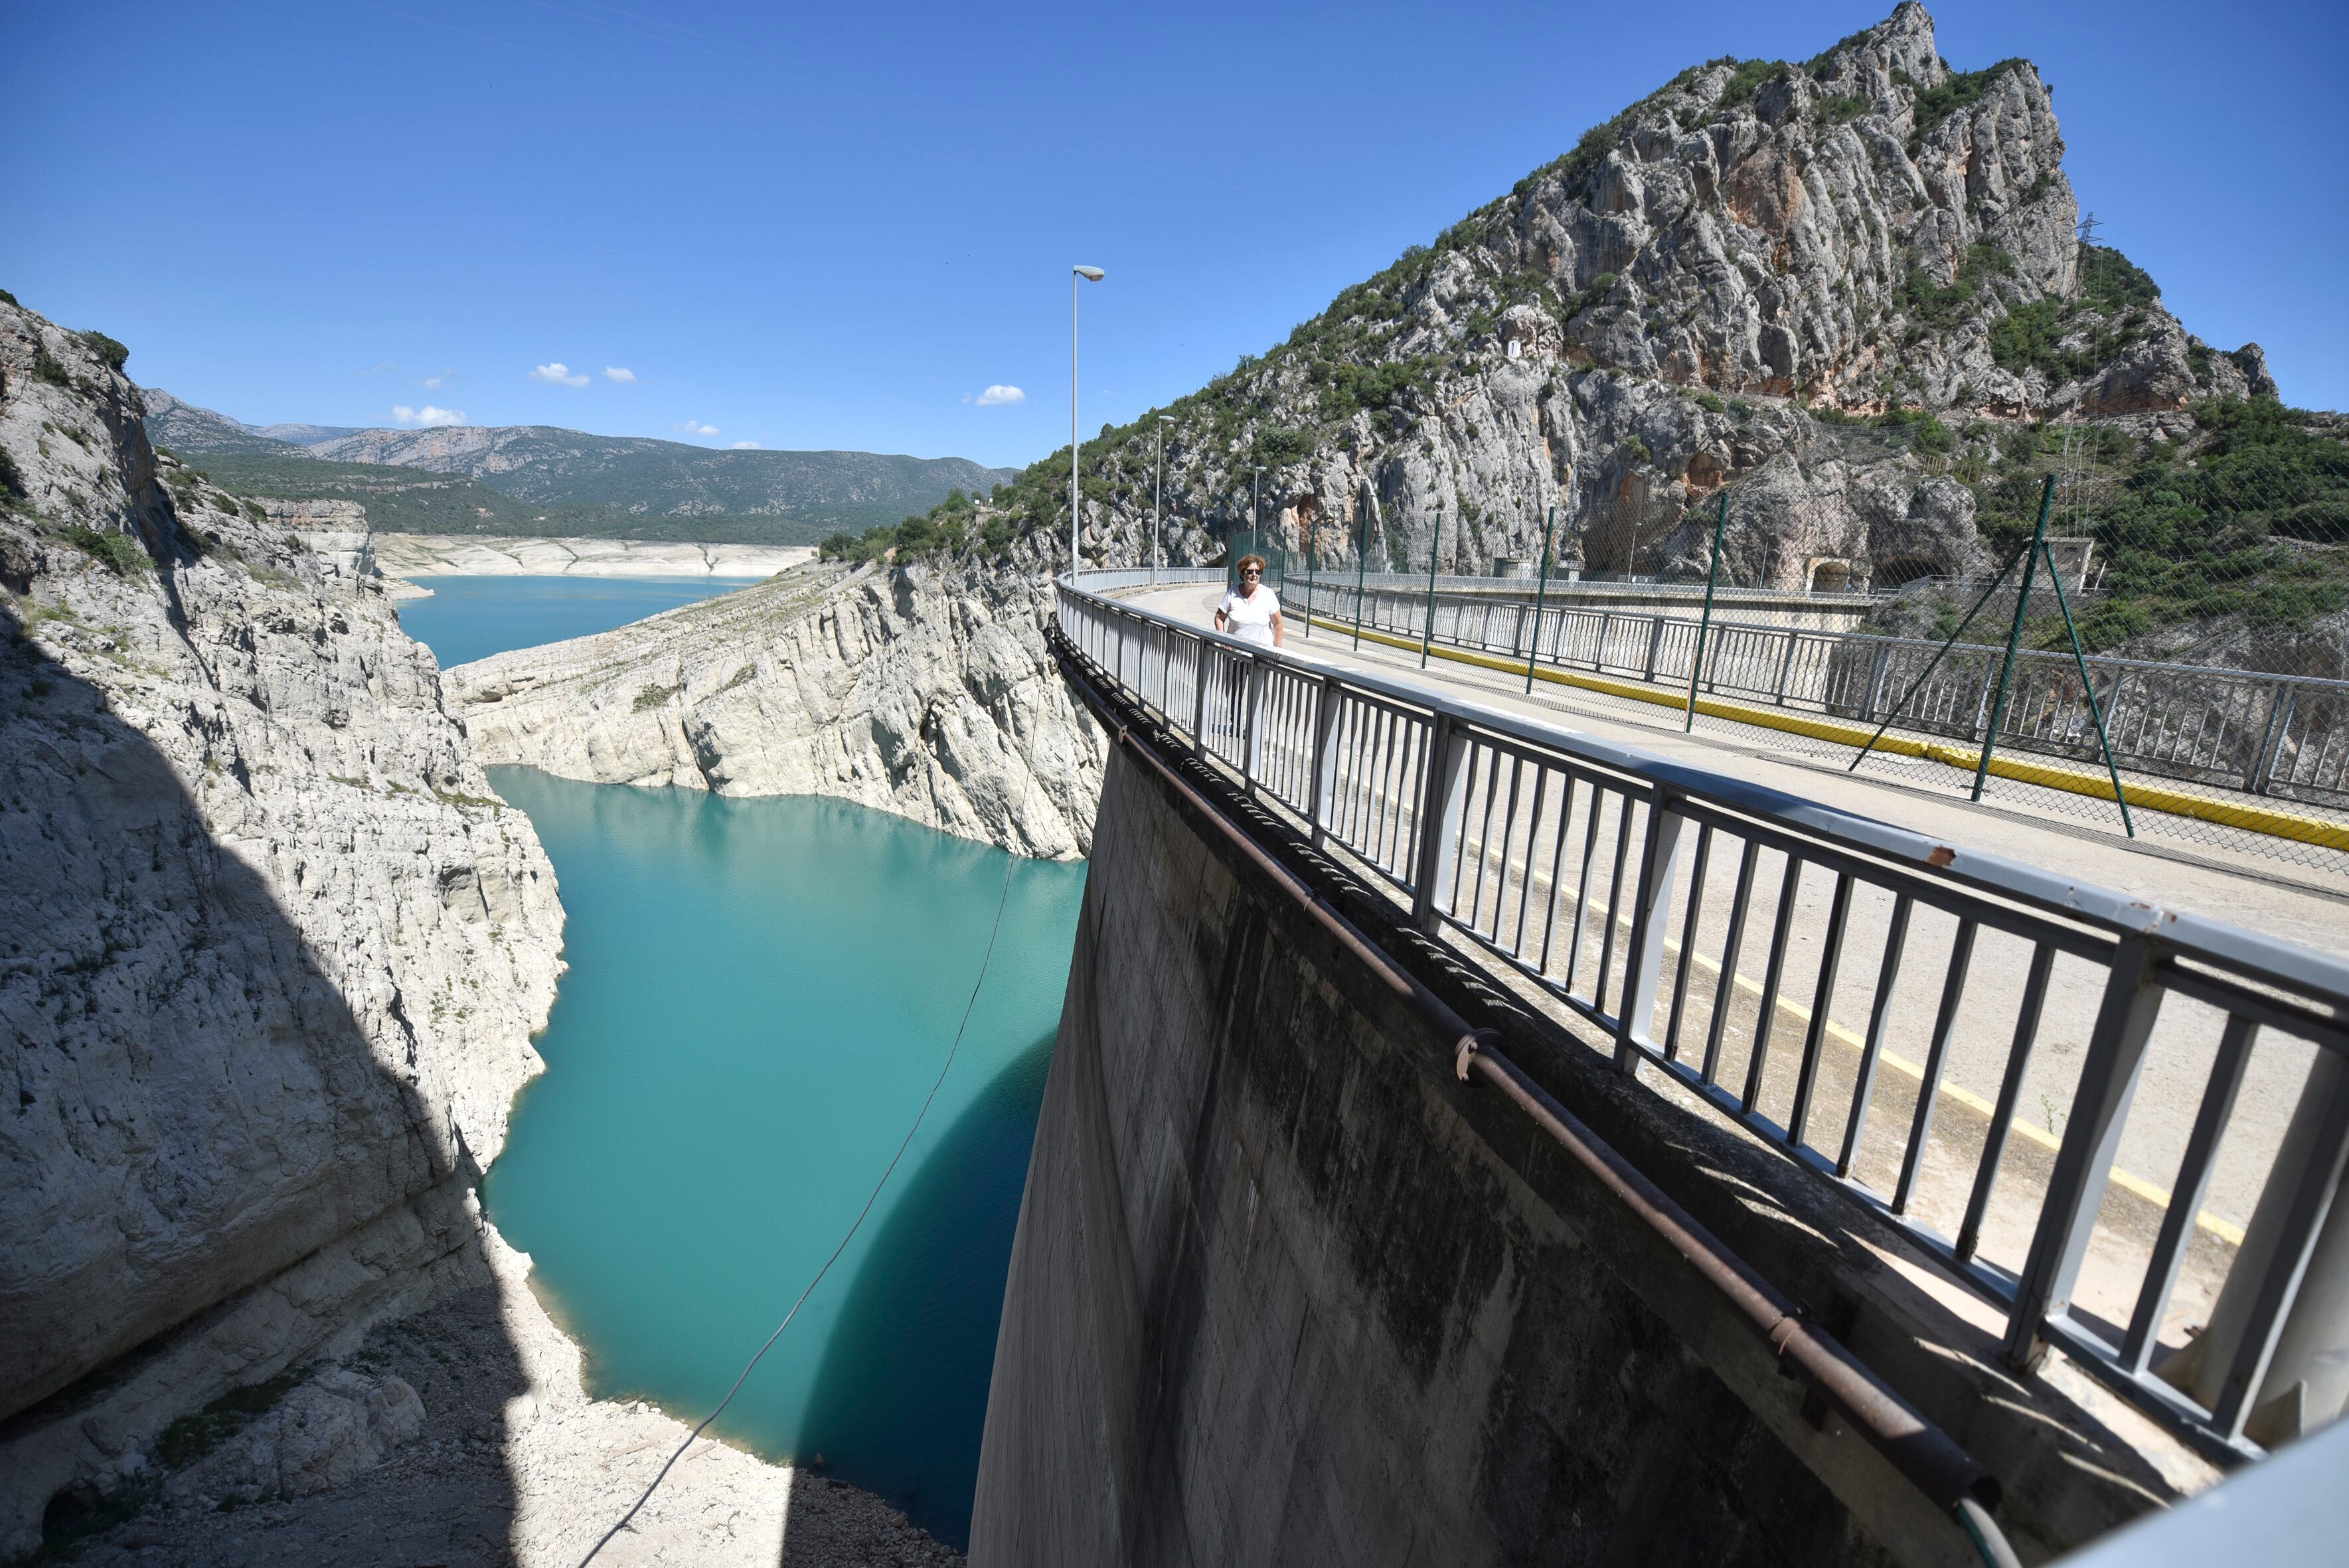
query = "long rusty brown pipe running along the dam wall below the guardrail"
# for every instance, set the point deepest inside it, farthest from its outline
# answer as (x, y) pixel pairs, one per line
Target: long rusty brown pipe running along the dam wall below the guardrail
(1920, 1452)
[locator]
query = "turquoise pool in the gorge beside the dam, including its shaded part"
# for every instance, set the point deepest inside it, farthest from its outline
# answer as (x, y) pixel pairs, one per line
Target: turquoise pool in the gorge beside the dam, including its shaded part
(760, 996)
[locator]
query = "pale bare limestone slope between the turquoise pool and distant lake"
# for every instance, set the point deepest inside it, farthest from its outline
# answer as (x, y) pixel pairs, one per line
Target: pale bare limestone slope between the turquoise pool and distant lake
(913, 691)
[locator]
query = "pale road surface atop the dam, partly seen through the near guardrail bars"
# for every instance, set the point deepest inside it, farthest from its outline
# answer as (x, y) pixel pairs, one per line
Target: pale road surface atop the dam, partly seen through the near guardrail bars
(2240, 888)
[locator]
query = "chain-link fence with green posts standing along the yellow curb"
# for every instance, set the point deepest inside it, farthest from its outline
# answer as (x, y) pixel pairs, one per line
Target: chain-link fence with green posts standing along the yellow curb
(2136, 623)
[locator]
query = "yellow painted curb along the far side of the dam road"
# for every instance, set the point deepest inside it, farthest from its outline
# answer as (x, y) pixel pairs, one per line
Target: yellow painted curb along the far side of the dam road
(2050, 776)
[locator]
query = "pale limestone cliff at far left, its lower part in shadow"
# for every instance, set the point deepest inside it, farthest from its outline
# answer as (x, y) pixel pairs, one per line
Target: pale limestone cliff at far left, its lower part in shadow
(271, 952)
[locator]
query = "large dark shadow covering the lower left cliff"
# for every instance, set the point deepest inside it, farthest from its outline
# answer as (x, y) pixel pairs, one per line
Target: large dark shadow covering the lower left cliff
(201, 1123)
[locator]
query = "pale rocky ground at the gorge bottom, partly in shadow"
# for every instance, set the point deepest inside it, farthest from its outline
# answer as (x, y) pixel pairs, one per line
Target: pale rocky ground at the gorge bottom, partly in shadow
(518, 1468)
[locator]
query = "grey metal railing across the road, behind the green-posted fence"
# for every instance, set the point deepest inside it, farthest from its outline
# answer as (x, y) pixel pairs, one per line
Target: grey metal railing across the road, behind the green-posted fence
(2270, 736)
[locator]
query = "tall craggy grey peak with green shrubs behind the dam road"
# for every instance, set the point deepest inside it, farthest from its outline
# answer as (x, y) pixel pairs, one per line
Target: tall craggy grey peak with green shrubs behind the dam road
(1709, 290)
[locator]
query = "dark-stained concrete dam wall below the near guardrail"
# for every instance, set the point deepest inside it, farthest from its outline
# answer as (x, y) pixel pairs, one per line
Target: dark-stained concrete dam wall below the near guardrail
(1288, 1290)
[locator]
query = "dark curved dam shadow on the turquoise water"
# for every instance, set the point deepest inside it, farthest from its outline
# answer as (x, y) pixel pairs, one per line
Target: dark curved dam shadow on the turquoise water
(901, 1395)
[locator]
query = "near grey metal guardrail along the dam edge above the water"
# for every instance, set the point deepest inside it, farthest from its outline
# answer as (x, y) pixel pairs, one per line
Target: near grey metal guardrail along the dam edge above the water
(1561, 860)
